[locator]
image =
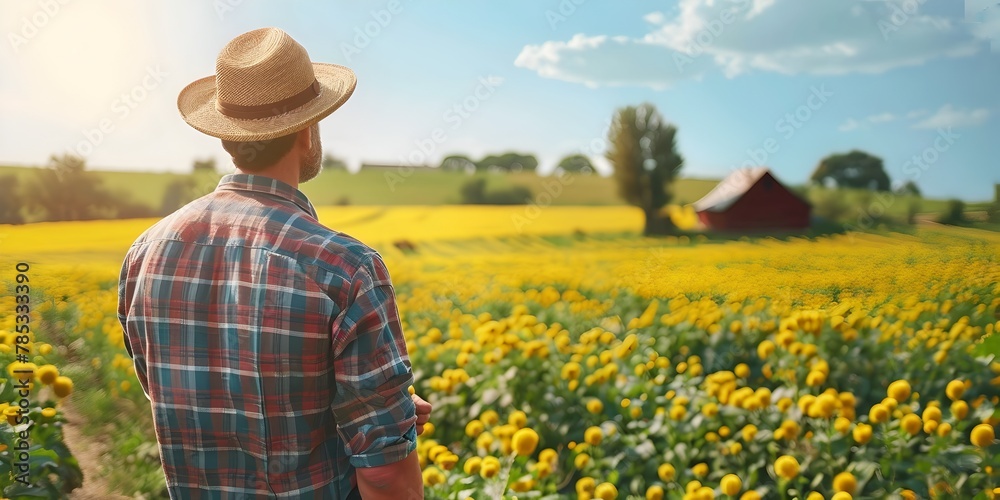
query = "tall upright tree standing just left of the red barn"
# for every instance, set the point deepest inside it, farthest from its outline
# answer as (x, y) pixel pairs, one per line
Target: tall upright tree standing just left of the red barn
(643, 152)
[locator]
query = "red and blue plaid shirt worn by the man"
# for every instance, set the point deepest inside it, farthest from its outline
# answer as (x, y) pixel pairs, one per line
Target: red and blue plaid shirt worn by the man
(268, 345)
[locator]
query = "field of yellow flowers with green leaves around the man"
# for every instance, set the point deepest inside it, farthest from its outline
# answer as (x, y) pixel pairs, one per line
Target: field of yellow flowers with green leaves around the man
(566, 362)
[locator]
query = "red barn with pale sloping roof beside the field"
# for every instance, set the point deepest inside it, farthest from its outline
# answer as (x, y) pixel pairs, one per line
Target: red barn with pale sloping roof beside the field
(752, 199)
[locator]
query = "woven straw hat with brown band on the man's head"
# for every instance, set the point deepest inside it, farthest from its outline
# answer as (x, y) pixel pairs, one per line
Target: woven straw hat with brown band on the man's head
(265, 86)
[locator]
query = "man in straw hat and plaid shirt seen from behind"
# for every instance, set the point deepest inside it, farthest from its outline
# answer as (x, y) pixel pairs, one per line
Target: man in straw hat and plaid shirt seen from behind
(269, 345)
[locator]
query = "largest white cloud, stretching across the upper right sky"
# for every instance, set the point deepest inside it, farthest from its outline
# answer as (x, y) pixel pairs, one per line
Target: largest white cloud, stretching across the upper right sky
(819, 37)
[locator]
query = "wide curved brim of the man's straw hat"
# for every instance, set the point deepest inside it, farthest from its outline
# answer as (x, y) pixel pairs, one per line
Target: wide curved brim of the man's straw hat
(197, 105)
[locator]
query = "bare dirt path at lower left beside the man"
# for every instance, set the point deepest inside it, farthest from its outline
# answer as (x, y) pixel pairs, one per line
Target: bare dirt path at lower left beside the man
(90, 453)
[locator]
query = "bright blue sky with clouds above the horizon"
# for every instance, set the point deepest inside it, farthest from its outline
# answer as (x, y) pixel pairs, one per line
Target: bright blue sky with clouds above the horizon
(775, 82)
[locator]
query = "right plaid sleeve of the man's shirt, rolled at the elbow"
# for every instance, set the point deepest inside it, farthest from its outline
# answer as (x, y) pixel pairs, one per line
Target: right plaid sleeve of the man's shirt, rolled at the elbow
(375, 416)
